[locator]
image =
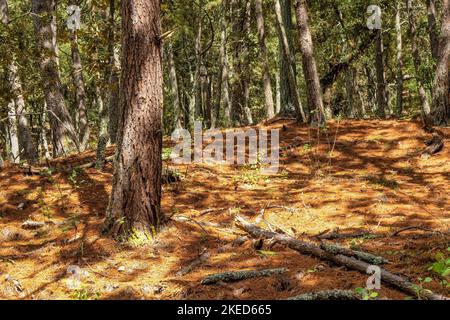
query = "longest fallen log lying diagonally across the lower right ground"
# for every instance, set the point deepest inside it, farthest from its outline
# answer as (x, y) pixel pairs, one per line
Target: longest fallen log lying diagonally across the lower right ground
(303, 247)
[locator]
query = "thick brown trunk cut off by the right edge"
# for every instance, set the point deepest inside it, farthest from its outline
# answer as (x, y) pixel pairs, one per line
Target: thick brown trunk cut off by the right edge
(441, 97)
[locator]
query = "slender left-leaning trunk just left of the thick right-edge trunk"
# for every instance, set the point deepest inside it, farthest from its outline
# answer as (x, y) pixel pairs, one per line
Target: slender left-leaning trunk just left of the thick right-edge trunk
(416, 57)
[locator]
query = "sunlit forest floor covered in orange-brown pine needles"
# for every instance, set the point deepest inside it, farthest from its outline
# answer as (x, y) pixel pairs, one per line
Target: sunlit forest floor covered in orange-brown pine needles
(361, 176)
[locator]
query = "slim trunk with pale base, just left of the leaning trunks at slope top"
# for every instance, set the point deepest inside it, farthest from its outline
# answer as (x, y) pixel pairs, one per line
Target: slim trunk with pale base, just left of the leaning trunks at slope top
(265, 62)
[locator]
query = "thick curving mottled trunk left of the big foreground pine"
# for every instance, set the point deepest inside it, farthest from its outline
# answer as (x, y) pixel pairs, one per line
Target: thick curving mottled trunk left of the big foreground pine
(60, 119)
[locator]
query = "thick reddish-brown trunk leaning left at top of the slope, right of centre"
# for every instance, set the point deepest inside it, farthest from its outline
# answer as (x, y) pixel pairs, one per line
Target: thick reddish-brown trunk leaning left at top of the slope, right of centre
(314, 92)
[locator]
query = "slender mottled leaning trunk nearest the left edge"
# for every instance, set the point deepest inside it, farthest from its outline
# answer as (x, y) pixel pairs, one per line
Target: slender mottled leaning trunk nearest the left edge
(29, 151)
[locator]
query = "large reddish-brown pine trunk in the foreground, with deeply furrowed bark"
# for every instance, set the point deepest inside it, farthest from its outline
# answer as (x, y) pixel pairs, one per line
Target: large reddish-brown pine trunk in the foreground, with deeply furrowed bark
(136, 195)
